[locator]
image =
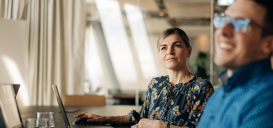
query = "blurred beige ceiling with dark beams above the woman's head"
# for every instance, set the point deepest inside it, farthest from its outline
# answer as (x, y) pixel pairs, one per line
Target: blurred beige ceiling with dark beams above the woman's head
(193, 16)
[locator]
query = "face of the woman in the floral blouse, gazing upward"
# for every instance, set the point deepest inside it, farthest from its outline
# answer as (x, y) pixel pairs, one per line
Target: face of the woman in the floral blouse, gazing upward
(173, 52)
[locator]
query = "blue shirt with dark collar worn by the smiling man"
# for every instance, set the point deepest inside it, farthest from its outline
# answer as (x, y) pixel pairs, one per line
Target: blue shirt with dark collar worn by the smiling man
(246, 101)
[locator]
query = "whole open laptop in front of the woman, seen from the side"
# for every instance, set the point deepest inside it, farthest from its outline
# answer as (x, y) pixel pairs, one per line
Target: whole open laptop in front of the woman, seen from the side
(67, 124)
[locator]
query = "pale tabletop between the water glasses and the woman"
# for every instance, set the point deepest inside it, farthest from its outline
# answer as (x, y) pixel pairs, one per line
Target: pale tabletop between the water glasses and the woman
(30, 112)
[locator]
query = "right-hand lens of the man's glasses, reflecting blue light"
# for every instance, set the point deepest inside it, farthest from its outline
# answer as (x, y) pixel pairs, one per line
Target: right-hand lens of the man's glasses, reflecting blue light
(240, 24)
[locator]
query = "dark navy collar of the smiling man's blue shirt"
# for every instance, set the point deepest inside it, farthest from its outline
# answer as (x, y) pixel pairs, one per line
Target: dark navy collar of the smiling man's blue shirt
(245, 74)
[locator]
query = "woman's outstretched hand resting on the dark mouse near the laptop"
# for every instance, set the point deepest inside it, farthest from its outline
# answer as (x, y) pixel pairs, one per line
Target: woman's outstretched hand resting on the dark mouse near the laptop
(93, 118)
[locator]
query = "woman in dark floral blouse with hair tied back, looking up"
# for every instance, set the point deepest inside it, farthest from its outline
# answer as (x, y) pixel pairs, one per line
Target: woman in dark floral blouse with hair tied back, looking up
(174, 100)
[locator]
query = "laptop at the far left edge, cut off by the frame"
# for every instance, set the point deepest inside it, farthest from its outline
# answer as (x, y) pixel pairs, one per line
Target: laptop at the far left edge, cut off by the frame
(9, 111)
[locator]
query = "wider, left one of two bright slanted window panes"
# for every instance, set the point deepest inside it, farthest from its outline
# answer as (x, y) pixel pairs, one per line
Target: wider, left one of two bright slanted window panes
(117, 41)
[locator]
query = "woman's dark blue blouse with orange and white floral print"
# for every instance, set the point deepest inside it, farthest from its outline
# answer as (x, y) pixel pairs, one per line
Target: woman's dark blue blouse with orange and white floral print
(181, 106)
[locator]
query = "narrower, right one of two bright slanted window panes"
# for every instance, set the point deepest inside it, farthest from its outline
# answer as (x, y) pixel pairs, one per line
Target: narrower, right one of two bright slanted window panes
(141, 40)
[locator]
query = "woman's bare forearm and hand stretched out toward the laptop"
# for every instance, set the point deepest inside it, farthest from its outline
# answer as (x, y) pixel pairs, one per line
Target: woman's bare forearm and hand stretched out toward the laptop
(104, 119)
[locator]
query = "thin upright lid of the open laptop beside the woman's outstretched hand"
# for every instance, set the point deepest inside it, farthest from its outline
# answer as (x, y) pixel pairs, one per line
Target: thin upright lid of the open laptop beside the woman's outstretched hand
(59, 100)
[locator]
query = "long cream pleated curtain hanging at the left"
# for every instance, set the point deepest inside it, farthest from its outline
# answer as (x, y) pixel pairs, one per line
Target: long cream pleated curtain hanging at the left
(56, 45)
